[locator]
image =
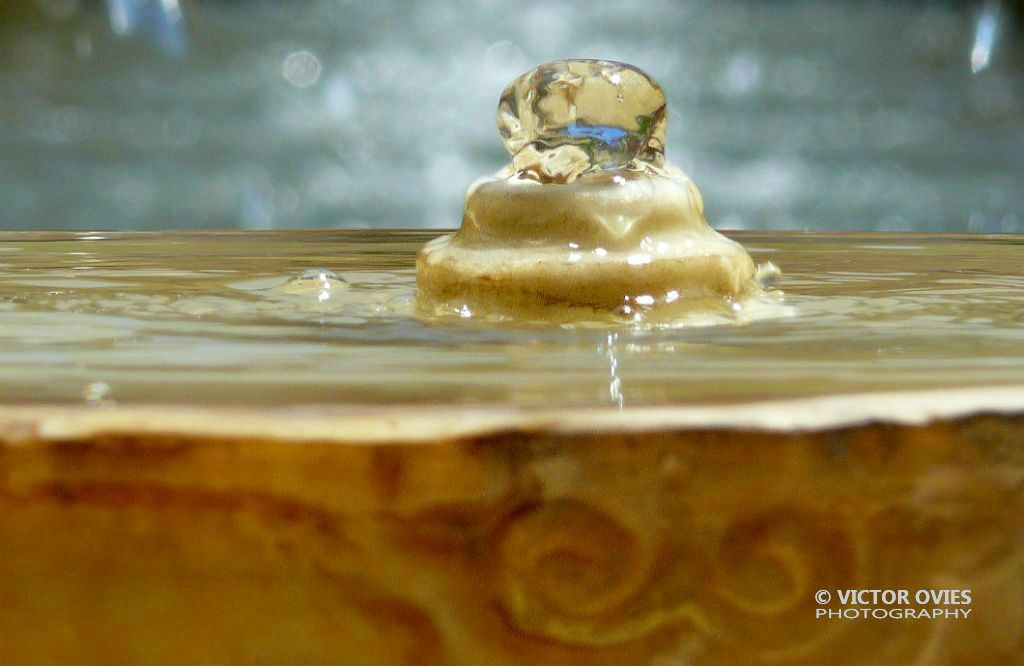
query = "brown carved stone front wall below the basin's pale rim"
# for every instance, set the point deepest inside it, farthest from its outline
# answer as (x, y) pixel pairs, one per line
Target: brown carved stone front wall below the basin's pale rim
(703, 548)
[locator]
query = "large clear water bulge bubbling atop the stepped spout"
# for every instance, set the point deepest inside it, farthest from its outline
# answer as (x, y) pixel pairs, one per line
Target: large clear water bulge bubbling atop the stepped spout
(569, 117)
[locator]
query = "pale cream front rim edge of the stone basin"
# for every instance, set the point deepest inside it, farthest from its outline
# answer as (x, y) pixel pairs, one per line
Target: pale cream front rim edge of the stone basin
(354, 425)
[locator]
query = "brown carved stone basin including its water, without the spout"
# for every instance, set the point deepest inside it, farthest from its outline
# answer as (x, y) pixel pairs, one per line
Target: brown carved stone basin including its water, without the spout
(205, 459)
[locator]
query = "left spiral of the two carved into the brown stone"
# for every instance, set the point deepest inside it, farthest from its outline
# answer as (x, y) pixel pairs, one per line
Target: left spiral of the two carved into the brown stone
(570, 571)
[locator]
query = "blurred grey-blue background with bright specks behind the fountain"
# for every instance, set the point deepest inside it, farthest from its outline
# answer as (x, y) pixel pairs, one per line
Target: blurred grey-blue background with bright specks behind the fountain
(235, 114)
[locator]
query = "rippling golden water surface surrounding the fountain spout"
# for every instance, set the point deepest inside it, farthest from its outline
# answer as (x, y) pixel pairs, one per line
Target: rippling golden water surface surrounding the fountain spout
(327, 317)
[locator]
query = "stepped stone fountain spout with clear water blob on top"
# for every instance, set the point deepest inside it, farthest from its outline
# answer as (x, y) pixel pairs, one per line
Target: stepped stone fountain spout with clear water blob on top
(589, 222)
